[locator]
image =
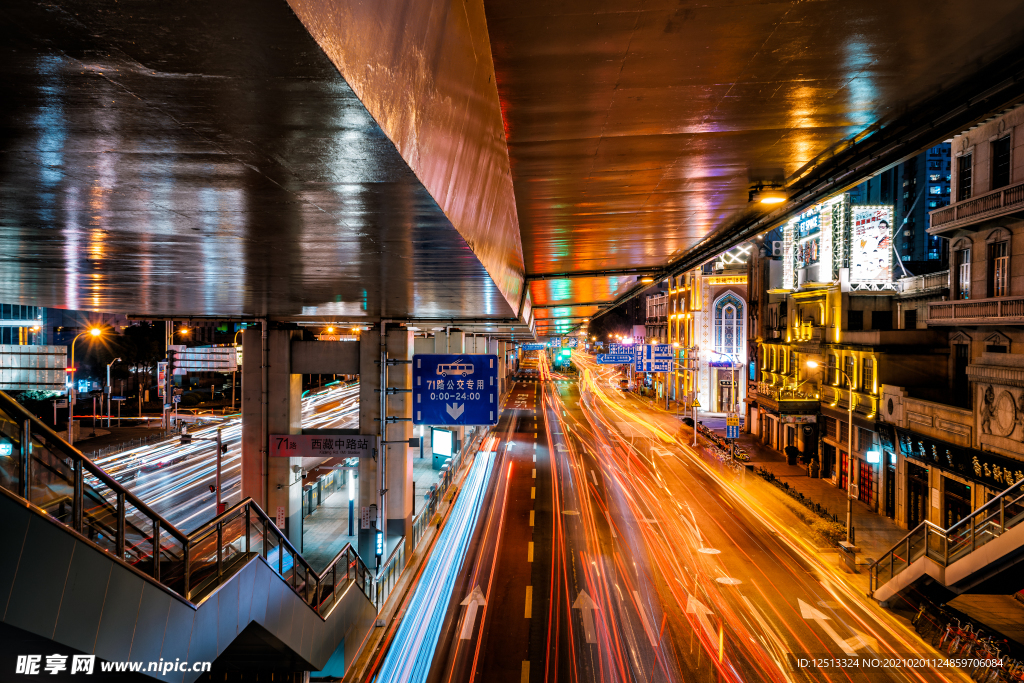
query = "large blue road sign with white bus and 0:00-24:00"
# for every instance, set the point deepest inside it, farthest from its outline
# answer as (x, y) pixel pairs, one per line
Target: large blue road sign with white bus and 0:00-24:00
(455, 390)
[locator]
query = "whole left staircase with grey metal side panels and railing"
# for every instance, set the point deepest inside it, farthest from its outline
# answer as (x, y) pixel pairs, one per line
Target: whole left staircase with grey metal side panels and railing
(91, 567)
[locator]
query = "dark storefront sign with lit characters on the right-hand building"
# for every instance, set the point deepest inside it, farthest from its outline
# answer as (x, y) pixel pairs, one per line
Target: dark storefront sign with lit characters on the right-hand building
(997, 473)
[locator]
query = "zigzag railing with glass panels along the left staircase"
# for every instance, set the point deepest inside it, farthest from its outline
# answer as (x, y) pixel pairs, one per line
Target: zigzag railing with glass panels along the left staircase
(39, 467)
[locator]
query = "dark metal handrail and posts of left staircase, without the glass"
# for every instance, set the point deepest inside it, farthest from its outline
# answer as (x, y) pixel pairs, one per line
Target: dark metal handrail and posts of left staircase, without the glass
(246, 511)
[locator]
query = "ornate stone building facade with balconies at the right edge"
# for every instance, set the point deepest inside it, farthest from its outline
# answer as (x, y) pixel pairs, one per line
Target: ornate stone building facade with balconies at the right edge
(961, 449)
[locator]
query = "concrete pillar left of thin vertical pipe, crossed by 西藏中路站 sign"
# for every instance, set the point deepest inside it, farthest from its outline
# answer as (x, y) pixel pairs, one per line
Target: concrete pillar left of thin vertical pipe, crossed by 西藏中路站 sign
(370, 353)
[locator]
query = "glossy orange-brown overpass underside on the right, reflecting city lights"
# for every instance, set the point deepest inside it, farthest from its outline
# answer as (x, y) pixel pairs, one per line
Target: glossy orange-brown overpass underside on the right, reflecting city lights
(637, 127)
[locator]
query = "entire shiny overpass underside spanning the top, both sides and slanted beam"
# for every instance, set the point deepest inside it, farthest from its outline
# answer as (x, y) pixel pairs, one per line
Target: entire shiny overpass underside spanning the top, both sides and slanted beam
(439, 161)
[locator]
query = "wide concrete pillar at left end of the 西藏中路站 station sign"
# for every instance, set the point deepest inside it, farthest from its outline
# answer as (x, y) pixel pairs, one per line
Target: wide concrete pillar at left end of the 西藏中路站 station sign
(275, 477)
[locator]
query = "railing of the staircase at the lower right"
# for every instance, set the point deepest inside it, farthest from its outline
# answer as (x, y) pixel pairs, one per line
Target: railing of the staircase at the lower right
(947, 546)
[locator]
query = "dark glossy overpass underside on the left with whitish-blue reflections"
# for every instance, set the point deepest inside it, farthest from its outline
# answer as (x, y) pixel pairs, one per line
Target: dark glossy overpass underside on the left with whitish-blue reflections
(208, 159)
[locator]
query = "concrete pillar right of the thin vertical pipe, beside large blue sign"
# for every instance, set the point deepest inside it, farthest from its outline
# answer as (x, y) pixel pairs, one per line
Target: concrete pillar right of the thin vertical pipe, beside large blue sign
(400, 464)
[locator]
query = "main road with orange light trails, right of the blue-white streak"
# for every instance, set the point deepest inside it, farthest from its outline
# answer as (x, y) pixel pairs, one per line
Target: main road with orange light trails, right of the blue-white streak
(652, 562)
